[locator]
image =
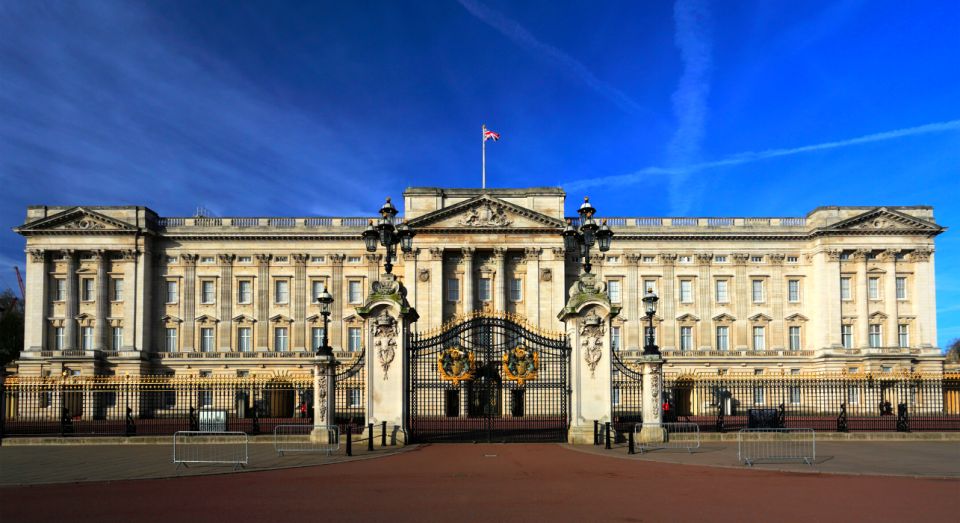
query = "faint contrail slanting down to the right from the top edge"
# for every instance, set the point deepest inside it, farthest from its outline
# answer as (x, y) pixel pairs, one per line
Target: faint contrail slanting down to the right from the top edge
(522, 37)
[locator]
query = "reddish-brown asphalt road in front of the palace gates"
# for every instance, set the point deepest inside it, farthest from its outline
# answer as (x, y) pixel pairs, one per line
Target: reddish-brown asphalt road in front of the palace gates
(519, 482)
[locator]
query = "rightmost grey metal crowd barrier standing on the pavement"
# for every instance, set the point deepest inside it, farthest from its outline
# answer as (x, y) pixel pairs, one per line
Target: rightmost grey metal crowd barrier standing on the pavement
(776, 445)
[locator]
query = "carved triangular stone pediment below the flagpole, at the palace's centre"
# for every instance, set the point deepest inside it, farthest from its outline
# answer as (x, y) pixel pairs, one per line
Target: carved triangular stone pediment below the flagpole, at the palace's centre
(485, 212)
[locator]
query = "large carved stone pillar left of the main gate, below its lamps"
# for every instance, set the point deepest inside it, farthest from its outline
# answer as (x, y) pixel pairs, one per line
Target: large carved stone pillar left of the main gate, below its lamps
(388, 318)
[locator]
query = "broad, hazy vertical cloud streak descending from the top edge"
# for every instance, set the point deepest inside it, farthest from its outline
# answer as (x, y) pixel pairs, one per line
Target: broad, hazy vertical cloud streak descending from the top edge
(692, 36)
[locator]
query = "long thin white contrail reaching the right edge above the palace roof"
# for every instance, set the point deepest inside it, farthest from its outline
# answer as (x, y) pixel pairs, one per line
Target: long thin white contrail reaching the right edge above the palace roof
(643, 174)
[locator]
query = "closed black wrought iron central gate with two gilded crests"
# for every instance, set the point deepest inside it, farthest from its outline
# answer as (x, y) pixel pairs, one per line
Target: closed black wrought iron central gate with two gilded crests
(489, 377)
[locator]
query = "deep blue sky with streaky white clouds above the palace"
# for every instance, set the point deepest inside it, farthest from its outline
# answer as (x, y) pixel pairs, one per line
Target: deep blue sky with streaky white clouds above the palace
(695, 108)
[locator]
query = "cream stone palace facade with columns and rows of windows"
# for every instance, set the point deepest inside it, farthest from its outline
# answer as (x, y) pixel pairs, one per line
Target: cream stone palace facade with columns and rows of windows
(117, 290)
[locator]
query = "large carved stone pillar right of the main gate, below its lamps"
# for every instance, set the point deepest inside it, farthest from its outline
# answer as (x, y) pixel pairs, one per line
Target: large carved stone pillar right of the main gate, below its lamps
(587, 317)
